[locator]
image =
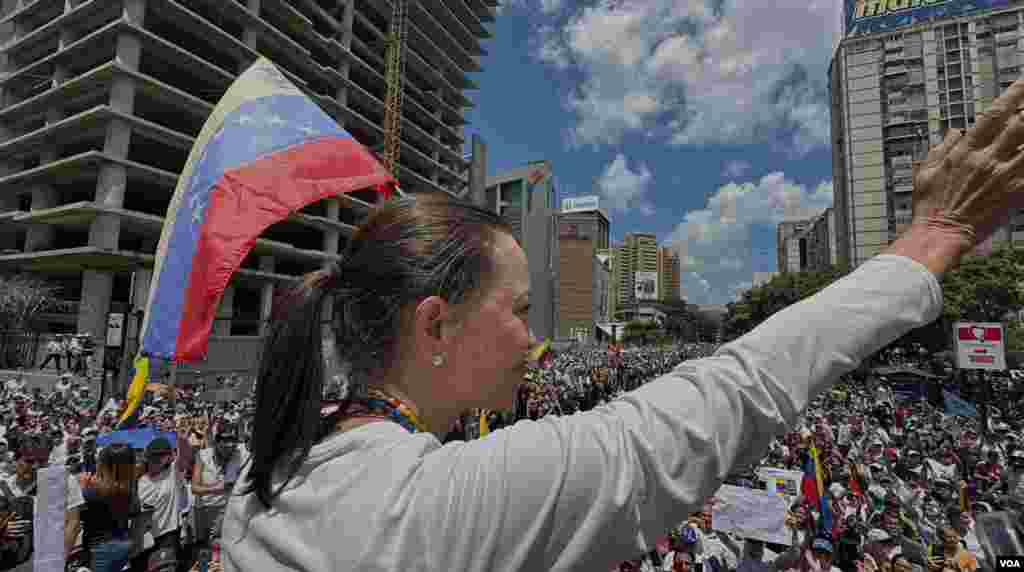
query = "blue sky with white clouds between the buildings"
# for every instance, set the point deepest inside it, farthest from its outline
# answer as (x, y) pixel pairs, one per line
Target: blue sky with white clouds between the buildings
(703, 121)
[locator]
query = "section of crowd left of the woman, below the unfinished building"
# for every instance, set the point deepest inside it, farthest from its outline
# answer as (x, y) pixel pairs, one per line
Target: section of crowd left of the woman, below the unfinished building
(150, 506)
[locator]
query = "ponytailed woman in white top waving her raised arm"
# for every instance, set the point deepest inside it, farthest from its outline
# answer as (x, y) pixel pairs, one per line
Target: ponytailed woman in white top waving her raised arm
(430, 313)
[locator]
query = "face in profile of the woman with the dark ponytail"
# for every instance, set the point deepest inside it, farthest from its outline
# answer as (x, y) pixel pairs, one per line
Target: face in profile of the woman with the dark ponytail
(489, 358)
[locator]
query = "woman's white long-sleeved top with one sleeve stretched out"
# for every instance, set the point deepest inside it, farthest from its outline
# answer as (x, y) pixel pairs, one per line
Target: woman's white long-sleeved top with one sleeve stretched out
(576, 493)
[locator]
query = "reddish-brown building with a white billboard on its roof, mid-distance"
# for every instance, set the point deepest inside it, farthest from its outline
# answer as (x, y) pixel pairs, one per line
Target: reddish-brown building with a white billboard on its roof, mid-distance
(582, 275)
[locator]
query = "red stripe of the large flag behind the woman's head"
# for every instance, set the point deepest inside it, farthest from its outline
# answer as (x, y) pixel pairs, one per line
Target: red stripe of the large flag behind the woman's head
(246, 202)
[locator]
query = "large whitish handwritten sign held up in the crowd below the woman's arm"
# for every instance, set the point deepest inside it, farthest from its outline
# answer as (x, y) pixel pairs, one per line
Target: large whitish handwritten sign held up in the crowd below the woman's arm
(751, 514)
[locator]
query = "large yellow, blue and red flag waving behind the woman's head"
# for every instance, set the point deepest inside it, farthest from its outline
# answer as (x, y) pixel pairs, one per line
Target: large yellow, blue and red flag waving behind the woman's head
(266, 152)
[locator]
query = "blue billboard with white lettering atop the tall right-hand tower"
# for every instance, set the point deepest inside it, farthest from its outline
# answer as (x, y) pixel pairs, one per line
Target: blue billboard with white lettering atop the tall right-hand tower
(870, 17)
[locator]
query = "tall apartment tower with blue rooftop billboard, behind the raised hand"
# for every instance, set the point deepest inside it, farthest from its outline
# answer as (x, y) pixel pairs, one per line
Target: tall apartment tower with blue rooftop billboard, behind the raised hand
(903, 76)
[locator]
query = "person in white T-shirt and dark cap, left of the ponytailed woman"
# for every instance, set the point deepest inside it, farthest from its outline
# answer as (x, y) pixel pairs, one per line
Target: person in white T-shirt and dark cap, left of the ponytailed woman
(161, 493)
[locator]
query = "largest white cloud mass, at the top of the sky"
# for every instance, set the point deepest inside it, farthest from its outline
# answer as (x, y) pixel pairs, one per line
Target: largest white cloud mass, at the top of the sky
(698, 72)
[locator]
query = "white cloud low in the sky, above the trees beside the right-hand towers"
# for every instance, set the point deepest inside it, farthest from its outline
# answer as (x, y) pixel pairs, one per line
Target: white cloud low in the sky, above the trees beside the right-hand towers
(715, 243)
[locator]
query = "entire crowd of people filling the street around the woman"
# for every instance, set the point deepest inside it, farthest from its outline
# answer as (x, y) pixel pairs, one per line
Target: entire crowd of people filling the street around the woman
(906, 479)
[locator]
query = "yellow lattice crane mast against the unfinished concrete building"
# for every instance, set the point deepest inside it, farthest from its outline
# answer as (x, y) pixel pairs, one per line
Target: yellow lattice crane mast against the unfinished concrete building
(396, 77)
